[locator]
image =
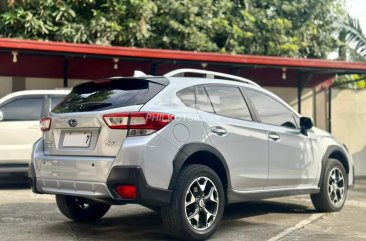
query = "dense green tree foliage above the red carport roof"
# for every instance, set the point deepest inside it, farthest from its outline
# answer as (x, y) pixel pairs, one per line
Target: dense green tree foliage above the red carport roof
(293, 28)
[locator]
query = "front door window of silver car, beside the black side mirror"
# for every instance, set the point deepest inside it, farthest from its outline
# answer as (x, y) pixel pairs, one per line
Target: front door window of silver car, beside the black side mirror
(271, 111)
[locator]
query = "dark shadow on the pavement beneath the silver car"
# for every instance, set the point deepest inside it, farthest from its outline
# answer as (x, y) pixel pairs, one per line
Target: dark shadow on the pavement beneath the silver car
(144, 224)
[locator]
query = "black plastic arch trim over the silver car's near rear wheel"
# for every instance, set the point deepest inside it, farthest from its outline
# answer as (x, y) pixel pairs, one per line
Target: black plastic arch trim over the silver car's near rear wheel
(187, 151)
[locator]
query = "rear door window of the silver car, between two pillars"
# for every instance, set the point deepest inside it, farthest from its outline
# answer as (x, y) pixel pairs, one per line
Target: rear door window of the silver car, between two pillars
(228, 101)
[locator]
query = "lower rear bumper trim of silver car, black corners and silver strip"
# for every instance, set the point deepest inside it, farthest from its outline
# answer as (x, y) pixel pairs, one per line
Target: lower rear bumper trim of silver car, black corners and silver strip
(131, 175)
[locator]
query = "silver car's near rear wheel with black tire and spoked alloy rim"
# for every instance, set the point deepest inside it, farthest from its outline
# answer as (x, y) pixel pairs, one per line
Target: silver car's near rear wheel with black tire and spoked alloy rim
(190, 214)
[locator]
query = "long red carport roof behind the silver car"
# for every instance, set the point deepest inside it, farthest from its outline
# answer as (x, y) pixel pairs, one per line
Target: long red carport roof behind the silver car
(84, 61)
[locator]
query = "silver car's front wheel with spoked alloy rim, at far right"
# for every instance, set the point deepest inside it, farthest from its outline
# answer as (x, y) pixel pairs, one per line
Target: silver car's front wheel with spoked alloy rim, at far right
(333, 188)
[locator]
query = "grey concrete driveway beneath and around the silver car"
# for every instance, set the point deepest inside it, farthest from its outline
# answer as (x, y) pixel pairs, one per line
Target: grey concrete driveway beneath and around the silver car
(31, 217)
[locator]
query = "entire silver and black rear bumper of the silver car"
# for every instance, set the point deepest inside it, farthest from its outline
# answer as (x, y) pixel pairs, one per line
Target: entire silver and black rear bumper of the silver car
(89, 177)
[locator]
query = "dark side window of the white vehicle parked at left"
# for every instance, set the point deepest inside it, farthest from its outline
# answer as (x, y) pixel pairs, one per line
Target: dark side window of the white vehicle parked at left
(23, 109)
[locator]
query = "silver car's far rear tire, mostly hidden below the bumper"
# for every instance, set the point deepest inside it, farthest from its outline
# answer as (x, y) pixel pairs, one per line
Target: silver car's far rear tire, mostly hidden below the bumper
(81, 209)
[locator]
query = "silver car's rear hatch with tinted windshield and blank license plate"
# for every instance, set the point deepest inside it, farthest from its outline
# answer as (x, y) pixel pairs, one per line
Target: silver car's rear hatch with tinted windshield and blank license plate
(77, 126)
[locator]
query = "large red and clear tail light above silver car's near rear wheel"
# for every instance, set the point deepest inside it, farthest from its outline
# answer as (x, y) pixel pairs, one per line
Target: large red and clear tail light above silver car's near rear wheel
(138, 123)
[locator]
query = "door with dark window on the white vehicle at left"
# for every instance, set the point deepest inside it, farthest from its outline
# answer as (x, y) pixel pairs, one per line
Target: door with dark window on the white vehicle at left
(19, 128)
